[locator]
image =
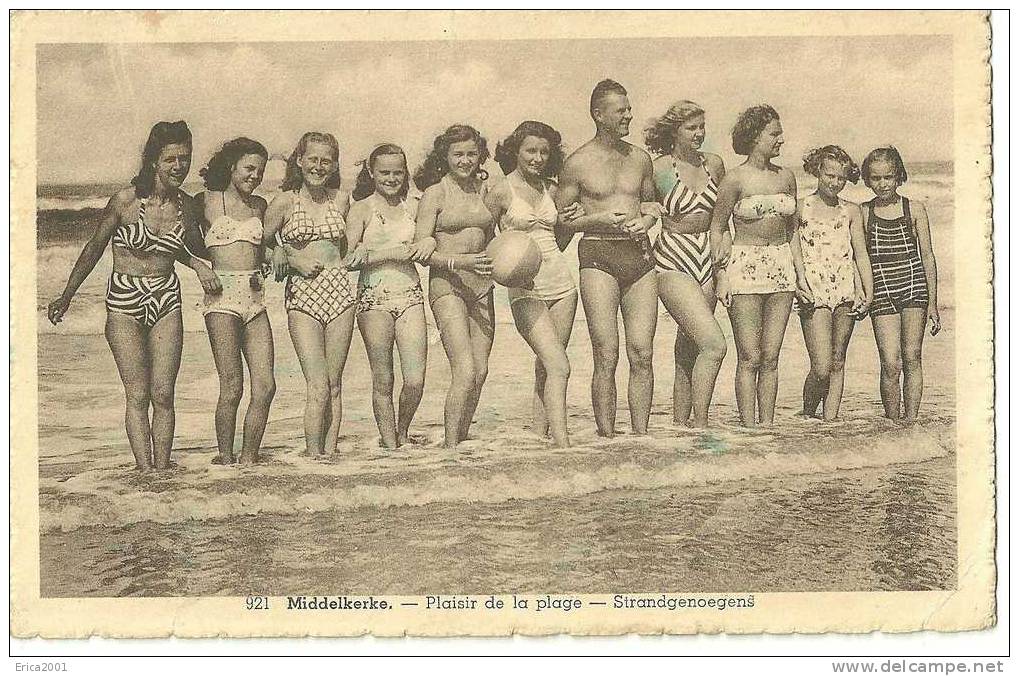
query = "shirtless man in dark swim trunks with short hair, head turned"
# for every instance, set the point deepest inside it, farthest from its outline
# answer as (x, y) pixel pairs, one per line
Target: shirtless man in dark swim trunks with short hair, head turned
(611, 179)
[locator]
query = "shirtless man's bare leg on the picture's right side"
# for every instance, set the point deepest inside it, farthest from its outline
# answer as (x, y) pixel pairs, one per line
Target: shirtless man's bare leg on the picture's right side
(640, 317)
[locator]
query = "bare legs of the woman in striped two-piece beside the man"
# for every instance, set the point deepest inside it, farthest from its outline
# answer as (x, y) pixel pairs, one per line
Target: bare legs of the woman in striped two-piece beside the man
(688, 305)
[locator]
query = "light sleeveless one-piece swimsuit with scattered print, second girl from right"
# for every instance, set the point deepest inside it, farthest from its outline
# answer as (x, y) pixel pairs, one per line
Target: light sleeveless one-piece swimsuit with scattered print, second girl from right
(828, 255)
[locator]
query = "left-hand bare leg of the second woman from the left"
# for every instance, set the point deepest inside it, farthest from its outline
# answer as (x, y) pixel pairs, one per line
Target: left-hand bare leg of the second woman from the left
(226, 339)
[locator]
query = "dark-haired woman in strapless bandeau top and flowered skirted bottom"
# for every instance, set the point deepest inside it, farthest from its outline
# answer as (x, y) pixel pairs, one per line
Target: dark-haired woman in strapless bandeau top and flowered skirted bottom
(759, 266)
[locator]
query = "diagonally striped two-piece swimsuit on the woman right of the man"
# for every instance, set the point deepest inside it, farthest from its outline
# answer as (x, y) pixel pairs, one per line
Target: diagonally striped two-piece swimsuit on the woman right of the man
(683, 252)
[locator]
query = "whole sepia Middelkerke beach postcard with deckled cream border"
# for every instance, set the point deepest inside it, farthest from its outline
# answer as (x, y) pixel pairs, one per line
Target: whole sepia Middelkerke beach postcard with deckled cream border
(474, 324)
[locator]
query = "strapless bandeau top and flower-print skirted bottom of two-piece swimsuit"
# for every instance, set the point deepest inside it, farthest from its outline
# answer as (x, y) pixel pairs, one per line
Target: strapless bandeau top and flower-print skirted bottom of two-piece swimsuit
(763, 269)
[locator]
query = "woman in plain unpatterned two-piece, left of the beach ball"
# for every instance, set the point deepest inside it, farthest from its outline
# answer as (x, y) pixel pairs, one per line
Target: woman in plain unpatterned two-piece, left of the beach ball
(454, 229)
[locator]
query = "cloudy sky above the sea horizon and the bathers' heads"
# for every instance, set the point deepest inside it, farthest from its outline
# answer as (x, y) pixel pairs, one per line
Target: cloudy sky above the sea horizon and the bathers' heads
(96, 102)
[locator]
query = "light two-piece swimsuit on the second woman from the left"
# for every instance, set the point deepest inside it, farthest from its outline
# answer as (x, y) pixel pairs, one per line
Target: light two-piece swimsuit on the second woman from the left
(244, 291)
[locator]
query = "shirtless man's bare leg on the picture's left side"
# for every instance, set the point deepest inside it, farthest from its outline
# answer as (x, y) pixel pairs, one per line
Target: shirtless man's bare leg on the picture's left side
(600, 293)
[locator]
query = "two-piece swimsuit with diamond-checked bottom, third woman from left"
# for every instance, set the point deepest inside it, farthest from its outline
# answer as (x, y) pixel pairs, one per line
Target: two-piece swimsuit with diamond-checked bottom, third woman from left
(330, 294)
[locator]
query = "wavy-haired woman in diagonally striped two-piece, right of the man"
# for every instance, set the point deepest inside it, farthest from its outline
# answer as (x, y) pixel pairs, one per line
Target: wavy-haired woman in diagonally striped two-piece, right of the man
(687, 184)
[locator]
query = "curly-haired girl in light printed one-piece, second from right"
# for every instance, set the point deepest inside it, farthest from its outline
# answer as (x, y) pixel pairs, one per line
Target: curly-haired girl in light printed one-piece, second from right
(837, 272)
